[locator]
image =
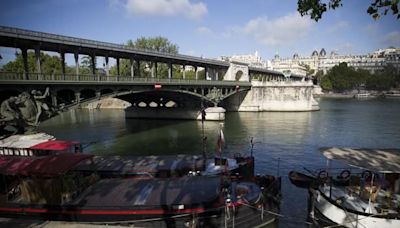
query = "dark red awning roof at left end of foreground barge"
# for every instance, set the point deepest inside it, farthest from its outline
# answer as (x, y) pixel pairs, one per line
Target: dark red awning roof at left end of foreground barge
(47, 166)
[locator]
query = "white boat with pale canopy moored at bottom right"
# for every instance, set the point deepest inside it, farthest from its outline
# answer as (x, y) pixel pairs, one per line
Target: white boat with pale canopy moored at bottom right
(371, 198)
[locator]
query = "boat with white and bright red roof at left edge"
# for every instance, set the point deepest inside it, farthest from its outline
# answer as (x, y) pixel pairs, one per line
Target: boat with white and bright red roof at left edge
(38, 144)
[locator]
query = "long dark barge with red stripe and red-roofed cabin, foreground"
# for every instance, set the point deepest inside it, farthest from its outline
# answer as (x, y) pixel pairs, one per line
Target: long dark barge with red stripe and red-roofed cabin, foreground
(49, 188)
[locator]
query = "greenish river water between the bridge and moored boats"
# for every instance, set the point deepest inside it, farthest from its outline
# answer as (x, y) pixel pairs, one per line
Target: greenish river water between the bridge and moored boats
(288, 140)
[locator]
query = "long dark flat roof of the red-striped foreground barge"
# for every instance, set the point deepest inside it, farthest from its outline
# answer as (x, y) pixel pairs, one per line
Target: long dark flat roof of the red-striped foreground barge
(150, 193)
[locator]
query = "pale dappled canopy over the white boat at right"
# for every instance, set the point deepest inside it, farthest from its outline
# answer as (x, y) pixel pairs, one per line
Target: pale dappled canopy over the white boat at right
(378, 160)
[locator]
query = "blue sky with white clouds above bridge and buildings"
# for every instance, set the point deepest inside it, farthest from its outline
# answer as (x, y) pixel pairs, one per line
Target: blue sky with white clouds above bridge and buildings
(208, 28)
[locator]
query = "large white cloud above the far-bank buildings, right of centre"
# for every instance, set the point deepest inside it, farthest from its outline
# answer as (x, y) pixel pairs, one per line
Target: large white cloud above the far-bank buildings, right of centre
(280, 31)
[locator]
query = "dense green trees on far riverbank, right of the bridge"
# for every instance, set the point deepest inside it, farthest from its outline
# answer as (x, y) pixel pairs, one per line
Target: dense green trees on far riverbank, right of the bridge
(343, 78)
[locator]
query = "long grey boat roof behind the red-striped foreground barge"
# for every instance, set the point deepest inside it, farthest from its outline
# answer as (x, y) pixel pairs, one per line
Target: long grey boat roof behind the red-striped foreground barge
(143, 164)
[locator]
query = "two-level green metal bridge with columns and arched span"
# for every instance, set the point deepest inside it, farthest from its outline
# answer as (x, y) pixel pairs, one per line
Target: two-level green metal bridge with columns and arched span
(223, 80)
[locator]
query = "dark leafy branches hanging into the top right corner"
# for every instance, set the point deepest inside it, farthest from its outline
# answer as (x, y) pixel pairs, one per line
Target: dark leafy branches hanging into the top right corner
(315, 8)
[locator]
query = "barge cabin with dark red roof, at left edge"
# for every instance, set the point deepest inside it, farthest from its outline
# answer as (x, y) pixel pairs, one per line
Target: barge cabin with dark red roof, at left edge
(46, 180)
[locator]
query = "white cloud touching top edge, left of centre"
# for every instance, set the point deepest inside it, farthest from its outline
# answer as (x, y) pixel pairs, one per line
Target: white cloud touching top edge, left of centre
(166, 8)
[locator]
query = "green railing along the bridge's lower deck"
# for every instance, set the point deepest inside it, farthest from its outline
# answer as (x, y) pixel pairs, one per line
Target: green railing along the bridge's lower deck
(35, 77)
